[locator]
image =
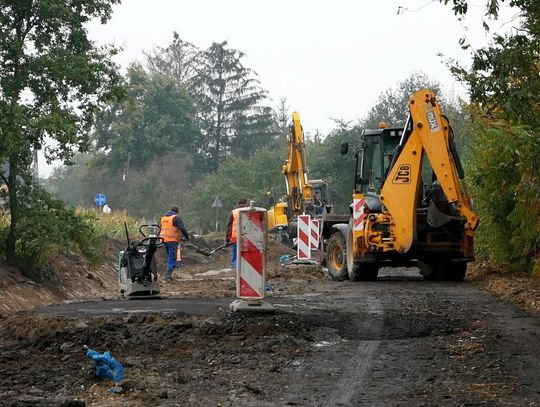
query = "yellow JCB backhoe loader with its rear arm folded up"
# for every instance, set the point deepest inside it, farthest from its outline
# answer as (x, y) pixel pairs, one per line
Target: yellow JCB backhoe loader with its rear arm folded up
(410, 204)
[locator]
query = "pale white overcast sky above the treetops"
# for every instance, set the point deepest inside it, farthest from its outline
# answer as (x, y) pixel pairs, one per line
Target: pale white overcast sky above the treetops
(329, 59)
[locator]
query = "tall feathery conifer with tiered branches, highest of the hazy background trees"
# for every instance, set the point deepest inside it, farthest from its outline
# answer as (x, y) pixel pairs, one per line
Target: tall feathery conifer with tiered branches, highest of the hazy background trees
(227, 96)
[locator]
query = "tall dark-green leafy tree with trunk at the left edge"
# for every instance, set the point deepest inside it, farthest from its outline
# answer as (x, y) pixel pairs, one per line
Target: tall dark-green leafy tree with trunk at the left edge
(52, 80)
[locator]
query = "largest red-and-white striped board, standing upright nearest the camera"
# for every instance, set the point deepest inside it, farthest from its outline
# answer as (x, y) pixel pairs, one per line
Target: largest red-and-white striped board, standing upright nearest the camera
(251, 246)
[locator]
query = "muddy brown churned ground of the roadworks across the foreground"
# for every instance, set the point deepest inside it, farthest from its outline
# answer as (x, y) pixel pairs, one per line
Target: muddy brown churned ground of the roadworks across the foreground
(400, 341)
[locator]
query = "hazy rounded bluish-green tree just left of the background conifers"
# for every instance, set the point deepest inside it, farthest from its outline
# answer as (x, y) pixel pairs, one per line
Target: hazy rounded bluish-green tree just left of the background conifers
(155, 117)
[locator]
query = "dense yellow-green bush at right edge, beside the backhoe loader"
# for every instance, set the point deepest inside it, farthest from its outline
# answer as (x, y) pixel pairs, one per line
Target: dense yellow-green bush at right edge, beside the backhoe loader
(505, 179)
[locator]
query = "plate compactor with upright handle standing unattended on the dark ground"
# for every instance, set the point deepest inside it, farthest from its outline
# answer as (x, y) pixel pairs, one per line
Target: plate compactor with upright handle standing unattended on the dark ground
(137, 270)
